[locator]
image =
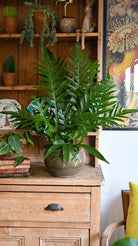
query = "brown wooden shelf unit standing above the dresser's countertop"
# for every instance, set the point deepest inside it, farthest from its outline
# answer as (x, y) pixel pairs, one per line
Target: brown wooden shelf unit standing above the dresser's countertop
(25, 57)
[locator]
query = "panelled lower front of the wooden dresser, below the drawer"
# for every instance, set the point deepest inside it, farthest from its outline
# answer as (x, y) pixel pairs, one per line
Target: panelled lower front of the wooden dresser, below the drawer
(31, 237)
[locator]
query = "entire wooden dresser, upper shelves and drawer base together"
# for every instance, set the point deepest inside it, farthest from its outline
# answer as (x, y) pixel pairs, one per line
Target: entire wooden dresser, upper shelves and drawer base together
(23, 219)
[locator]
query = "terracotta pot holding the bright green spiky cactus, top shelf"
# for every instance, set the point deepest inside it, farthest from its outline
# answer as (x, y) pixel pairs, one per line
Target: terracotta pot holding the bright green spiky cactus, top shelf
(10, 25)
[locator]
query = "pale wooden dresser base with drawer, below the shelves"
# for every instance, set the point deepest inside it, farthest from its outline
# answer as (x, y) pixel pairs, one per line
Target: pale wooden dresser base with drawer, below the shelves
(25, 222)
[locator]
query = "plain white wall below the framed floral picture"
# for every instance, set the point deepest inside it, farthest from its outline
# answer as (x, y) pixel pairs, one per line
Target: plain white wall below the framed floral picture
(121, 150)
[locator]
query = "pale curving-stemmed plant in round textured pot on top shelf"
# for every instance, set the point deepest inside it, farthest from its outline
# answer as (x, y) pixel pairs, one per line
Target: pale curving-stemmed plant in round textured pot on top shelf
(66, 24)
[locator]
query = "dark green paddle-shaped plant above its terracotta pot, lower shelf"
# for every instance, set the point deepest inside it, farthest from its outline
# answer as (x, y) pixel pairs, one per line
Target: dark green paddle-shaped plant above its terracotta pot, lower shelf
(9, 65)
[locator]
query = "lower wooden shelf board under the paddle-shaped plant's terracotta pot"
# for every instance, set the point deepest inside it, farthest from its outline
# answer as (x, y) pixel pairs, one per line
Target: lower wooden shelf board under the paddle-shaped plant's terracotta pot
(19, 88)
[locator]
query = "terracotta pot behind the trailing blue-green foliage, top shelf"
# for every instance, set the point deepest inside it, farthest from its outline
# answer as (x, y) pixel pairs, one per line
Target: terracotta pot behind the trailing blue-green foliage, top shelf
(38, 20)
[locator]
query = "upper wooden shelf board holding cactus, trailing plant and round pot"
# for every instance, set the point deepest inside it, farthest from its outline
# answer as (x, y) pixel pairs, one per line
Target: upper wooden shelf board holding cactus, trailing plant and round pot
(58, 35)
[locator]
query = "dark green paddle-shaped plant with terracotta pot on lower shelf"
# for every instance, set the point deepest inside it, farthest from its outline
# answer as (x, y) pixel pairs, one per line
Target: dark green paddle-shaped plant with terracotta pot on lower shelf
(9, 70)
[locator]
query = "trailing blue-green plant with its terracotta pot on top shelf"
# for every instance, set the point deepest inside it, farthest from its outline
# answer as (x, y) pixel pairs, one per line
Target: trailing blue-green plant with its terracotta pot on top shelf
(40, 19)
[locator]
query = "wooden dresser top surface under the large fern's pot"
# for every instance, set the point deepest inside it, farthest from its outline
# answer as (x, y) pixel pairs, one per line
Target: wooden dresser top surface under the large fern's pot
(88, 176)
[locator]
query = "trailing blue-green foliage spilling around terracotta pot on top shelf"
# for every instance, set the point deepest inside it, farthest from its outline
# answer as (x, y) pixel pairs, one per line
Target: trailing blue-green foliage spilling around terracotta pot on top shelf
(48, 32)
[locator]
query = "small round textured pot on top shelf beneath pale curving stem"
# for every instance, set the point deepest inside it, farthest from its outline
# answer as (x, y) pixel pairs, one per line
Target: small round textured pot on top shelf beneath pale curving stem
(67, 24)
